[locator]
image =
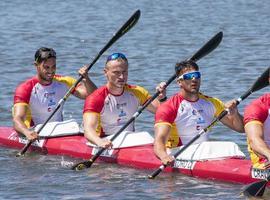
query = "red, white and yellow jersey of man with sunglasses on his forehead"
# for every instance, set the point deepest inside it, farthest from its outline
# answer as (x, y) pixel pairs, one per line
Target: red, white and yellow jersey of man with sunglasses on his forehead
(114, 111)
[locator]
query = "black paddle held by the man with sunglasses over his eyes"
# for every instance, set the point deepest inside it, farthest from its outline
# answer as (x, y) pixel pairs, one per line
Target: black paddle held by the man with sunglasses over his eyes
(260, 83)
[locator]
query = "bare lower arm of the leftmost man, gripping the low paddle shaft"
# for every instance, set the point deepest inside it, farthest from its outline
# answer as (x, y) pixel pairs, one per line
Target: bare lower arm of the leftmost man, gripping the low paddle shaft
(19, 116)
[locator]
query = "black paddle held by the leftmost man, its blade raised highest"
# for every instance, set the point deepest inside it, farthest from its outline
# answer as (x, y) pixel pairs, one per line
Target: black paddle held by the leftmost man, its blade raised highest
(124, 29)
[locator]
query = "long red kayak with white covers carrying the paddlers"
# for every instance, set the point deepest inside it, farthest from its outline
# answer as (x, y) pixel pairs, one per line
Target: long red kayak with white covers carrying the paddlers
(232, 167)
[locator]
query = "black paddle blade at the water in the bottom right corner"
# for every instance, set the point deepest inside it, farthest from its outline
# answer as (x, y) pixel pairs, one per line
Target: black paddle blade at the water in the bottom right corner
(255, 189)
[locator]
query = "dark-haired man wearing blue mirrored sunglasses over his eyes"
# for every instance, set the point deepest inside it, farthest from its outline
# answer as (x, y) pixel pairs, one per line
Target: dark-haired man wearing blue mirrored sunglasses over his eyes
(186, 113)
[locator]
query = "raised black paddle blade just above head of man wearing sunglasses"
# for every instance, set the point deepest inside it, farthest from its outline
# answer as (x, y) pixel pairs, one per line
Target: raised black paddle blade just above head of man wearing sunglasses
(208, 47)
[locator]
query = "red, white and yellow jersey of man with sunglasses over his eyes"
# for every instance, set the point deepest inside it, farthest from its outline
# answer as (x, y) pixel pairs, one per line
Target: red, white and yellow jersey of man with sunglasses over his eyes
(187, 118)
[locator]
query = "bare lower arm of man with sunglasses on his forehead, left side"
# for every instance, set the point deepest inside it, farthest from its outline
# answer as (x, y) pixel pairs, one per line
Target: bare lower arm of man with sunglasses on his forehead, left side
(90, 121)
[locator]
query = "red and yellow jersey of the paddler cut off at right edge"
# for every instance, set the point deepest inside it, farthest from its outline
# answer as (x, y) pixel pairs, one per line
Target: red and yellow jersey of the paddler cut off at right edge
(259, 112)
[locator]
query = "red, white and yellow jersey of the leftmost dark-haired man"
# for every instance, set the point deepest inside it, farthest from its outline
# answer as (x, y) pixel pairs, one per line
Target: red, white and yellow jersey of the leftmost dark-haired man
(41, 100)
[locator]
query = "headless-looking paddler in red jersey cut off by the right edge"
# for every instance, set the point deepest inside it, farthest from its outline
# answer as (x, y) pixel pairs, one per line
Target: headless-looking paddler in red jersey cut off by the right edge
(257, 127)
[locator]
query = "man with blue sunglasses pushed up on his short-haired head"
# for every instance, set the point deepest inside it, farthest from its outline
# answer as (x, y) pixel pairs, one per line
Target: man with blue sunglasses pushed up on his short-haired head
(108, 108)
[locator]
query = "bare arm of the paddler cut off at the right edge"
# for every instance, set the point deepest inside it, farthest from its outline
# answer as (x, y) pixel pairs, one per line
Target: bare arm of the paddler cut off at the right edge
(254, 133)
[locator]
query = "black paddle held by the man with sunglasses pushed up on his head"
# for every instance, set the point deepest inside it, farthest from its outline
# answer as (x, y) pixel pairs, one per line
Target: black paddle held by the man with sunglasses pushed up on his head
(207, 48)
